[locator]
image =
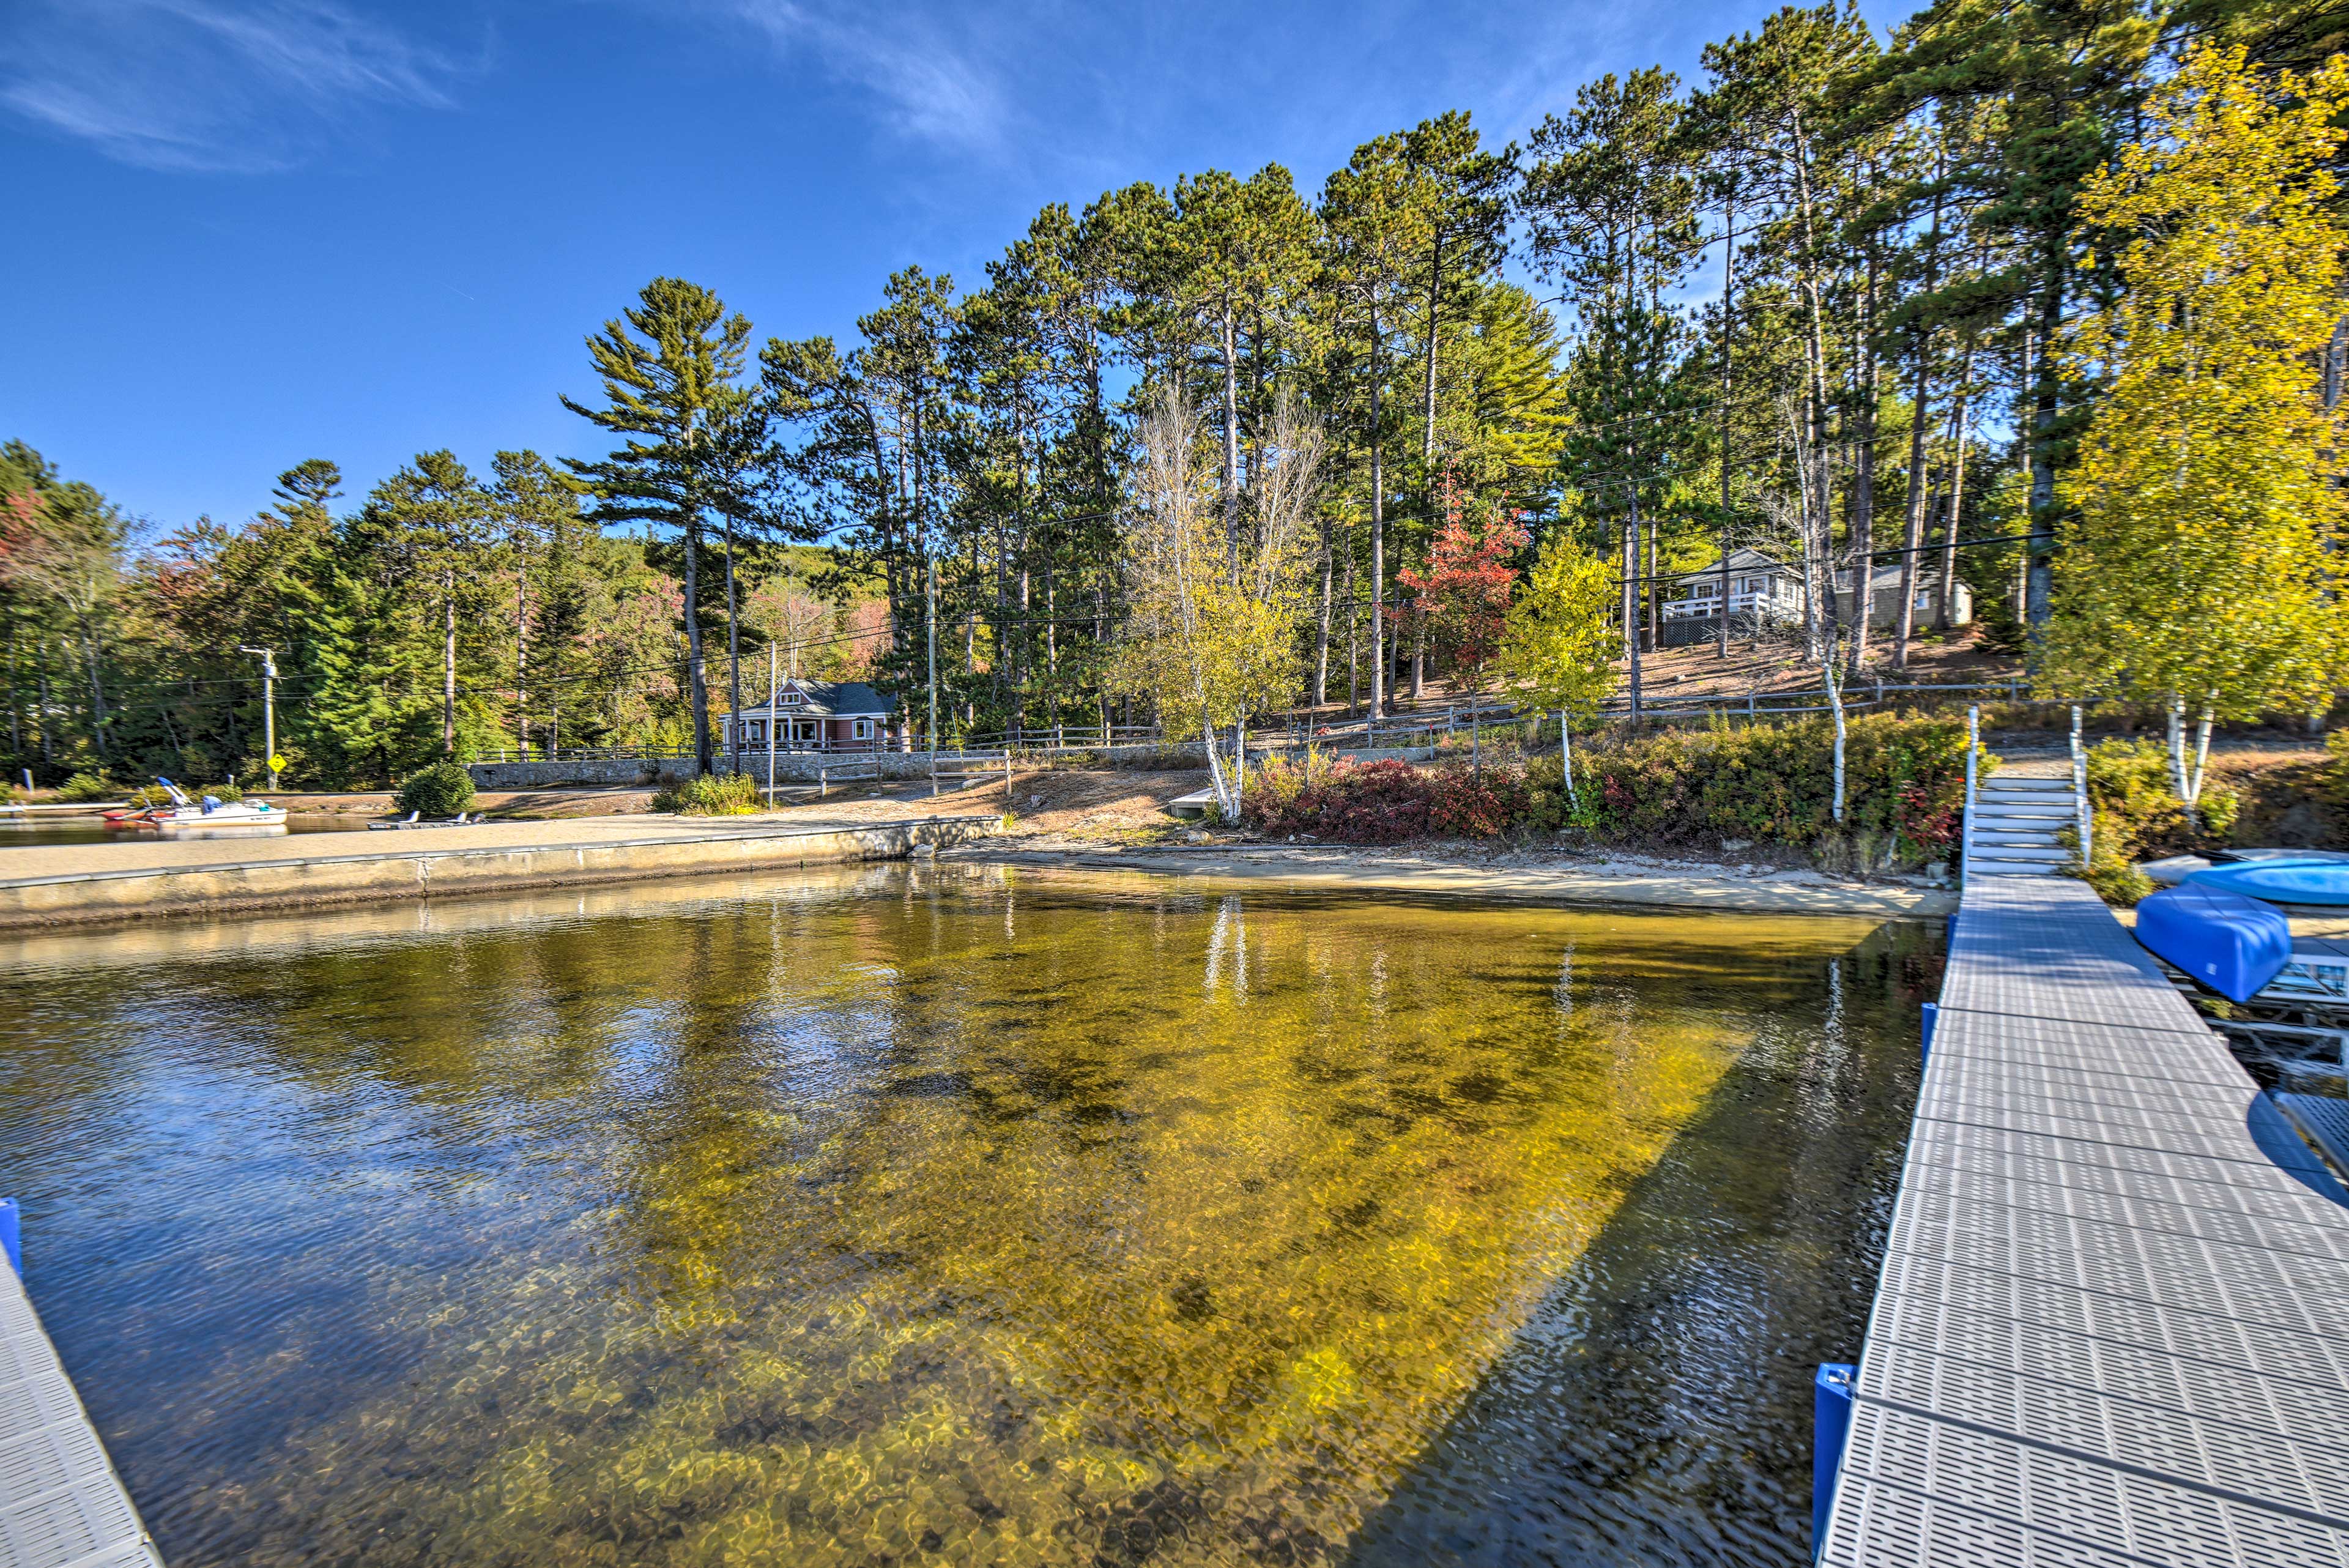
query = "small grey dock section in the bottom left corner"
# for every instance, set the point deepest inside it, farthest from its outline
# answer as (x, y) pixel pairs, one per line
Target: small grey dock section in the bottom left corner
(60, 1499)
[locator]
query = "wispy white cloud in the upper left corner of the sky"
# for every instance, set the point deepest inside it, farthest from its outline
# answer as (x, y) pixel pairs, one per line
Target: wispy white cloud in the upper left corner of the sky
(217, 86)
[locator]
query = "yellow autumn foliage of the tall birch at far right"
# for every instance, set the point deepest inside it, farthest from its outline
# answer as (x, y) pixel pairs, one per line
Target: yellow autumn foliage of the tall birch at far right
(2195, 554)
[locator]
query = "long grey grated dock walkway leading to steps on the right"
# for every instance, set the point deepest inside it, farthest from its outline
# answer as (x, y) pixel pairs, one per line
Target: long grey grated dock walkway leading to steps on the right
(2108, 1327)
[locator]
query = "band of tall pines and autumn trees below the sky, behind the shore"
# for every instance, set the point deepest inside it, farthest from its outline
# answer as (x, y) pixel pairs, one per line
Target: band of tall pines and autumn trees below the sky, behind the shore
(1843, 297)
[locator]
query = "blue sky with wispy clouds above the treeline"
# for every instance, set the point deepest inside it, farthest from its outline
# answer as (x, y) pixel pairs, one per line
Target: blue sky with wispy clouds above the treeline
(257, 232)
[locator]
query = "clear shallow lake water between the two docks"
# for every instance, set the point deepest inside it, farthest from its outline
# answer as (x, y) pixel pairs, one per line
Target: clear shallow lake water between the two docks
(962, 1217)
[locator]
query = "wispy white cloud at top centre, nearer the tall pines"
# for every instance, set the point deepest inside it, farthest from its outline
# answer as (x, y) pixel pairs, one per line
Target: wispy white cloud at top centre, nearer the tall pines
(931, 86)
